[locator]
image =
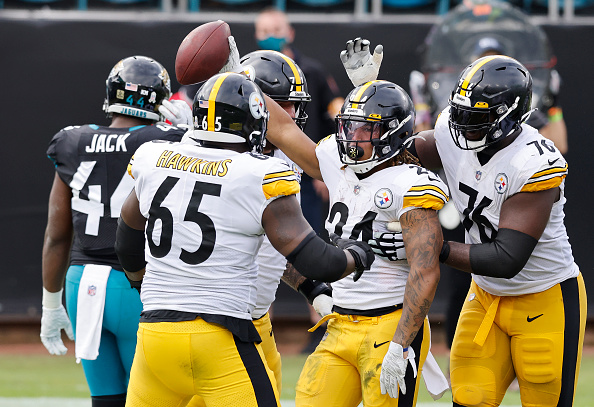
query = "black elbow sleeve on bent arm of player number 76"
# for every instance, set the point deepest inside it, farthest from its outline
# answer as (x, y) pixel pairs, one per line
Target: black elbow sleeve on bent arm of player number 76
(505, 257)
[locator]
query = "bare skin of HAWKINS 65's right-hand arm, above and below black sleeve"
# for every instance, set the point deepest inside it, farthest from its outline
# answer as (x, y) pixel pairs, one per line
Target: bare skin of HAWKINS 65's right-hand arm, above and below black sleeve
(286, 227)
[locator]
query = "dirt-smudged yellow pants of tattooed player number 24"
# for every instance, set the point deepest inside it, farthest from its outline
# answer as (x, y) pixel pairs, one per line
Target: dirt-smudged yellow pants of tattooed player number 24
(345, 367)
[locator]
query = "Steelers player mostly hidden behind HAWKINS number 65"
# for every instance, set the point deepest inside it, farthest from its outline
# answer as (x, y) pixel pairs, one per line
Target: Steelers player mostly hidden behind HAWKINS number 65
(279, 77)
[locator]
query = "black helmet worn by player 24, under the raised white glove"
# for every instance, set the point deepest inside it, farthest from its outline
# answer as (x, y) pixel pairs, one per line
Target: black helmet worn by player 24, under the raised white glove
(389, 114)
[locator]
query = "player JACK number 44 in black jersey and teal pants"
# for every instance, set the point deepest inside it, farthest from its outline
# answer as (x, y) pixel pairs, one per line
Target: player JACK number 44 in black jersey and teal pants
(90, 185)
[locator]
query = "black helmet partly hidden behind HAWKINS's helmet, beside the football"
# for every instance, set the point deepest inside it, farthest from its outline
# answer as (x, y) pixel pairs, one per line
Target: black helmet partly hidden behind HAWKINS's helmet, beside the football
(280, 78)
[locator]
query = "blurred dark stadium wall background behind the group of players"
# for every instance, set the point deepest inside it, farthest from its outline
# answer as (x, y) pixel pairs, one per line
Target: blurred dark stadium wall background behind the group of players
(56, 55)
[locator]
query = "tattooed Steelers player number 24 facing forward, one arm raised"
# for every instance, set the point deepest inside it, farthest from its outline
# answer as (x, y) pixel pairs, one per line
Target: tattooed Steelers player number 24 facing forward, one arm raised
(373, 183)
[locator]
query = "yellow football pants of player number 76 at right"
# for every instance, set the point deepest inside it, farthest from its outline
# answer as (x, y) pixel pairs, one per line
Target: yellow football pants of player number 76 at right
(536, 337)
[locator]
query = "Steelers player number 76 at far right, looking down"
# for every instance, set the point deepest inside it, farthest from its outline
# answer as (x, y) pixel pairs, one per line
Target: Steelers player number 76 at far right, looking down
(525, 312)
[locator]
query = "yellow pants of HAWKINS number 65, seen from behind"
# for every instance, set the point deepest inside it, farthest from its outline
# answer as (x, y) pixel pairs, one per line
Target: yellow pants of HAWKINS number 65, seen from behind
(176, 360)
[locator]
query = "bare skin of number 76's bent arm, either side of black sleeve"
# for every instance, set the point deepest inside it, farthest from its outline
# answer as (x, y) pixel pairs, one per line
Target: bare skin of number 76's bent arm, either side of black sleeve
(526, 212)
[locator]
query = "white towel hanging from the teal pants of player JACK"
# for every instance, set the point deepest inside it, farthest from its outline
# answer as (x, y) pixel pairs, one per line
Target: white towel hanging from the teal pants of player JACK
(89, 315)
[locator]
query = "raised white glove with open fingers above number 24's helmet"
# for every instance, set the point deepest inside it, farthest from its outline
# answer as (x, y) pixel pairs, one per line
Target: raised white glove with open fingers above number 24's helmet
(360, 65)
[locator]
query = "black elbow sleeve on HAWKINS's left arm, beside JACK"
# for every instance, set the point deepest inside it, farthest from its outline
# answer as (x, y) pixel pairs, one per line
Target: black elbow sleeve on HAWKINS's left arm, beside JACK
(129, 247)
